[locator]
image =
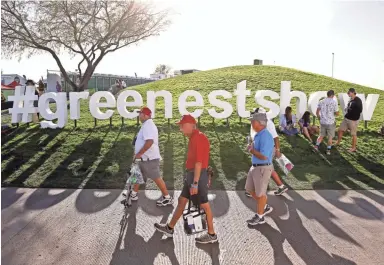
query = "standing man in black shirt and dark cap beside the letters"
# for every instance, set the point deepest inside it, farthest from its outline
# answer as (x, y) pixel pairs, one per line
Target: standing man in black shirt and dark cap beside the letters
(351, 118)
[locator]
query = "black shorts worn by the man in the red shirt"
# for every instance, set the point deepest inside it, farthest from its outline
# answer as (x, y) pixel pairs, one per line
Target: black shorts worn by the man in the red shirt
(202, 195)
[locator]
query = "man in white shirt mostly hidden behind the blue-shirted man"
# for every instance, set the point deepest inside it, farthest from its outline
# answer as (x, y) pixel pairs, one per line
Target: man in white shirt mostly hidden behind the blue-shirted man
(272, 130)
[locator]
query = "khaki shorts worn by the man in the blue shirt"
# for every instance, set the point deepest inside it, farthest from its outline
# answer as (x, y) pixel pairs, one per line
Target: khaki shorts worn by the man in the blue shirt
(258, 179)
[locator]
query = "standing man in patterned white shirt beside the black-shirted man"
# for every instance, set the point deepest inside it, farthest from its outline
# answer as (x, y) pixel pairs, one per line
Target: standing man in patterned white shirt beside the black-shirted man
(326, 111)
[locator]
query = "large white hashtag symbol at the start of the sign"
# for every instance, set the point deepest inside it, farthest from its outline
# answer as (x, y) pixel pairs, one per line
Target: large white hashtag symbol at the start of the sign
(23, 104)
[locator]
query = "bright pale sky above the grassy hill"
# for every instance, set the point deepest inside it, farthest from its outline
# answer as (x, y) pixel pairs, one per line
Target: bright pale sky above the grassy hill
(211, 34)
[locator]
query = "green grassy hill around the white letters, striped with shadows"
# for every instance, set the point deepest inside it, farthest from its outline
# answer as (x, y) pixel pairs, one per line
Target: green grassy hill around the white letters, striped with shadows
(98, 156)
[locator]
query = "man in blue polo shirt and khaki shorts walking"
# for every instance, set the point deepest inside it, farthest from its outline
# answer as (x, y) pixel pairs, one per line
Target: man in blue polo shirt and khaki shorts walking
(261, 170)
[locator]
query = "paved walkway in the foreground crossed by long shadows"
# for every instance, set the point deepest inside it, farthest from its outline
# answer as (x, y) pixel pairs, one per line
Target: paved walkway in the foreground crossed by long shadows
(44, 226)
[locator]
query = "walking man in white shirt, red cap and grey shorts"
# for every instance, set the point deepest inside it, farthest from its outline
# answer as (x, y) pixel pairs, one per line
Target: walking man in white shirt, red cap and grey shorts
(147, 150)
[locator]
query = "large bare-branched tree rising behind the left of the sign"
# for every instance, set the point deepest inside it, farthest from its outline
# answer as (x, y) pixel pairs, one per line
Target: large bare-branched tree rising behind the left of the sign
(89, 29)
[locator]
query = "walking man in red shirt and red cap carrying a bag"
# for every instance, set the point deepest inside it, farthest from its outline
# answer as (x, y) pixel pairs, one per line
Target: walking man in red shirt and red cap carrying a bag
(196, 180)
